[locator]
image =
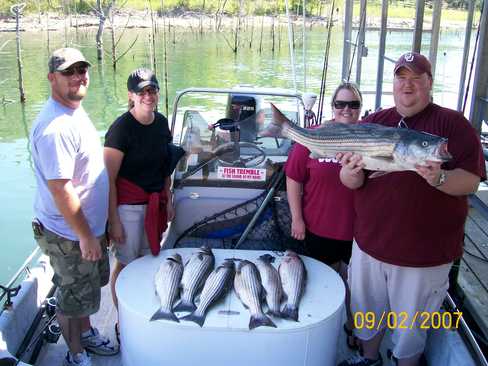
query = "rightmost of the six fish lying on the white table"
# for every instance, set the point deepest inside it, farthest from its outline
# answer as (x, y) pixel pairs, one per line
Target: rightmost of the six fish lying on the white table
(293, 278)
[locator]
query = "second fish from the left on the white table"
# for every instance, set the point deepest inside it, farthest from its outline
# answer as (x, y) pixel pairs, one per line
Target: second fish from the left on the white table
(196, 270)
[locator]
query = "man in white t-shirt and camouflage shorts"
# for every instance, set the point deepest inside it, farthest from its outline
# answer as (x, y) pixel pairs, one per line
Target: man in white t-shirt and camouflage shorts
(71, 204)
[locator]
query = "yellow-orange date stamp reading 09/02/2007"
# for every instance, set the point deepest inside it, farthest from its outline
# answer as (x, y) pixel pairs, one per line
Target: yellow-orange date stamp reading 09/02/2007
(404, 320)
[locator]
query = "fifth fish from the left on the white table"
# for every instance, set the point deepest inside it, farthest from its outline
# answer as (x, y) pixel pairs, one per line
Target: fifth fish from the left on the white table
(270, 279)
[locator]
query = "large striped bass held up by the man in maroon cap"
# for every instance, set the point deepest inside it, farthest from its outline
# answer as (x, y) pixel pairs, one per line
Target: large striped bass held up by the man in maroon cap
(382, 148)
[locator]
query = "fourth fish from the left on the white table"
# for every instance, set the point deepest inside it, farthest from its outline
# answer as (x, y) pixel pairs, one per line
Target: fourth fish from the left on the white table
(248, 288)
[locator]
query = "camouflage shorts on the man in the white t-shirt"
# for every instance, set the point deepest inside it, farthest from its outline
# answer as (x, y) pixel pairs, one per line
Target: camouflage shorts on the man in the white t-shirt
(78, 281)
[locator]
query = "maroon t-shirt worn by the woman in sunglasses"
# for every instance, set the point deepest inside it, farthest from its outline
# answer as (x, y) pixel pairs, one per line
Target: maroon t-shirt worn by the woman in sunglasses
(326, 204)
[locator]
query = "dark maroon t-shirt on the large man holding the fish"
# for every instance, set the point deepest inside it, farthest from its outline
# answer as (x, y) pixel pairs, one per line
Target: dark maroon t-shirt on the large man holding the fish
(400, 218)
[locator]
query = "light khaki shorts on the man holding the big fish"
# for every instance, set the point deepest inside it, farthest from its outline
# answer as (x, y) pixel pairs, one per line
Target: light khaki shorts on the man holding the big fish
(398, 292)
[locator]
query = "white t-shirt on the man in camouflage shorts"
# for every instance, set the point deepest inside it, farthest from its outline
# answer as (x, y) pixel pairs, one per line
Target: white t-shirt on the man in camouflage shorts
(66, 145)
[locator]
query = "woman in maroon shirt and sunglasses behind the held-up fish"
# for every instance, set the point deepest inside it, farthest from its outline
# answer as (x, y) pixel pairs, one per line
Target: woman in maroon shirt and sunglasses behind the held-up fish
(321, 207)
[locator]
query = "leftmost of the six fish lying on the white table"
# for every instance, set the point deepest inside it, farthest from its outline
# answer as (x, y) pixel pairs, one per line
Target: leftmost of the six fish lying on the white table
(167, 283)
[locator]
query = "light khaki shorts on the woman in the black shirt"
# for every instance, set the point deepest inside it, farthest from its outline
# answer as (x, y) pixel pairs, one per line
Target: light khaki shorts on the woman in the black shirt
(136, 244)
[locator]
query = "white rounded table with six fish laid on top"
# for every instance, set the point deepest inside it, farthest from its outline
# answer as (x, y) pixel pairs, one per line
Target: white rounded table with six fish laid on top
(225, 338)
